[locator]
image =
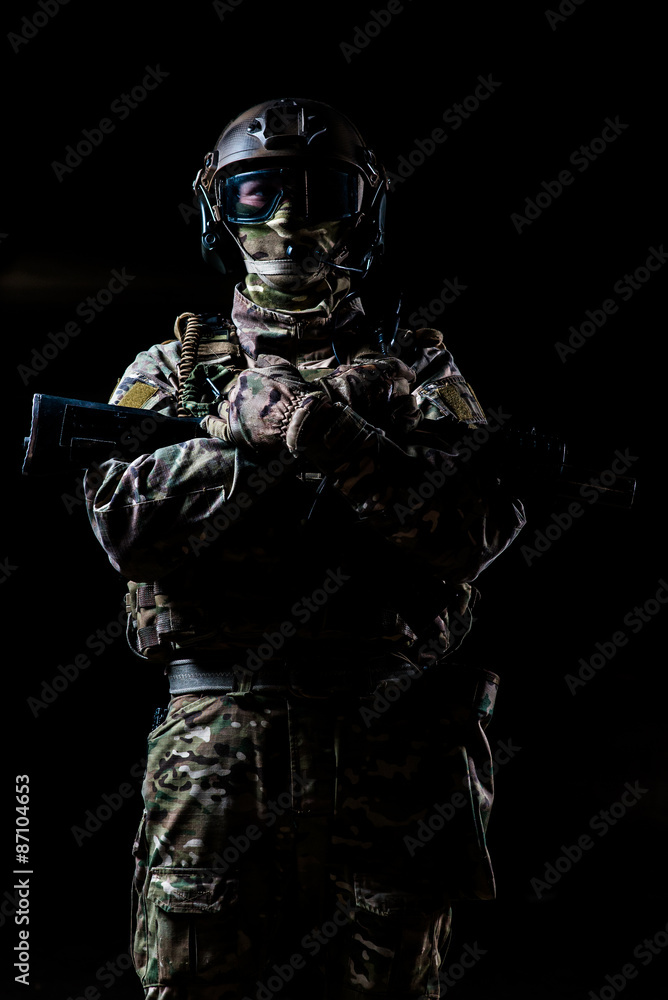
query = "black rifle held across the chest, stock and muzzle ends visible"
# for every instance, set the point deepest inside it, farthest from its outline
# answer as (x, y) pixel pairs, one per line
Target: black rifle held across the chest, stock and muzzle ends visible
(73, 434)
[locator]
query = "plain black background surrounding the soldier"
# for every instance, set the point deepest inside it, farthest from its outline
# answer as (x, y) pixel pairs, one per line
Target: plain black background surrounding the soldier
(127, 205)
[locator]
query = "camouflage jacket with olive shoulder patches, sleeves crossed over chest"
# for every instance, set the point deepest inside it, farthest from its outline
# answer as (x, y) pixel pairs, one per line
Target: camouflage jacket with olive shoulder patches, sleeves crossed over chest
(221, 546)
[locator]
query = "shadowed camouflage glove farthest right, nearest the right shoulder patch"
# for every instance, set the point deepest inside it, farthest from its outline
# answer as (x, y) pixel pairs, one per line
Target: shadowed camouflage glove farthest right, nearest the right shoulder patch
(378, 390)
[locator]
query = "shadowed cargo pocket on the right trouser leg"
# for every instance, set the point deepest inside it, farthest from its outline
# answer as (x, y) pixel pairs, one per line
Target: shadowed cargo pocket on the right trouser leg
(398, 938)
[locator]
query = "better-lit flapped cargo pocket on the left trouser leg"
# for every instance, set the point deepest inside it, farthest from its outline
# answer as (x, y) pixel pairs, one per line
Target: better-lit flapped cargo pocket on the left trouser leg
(190, 929)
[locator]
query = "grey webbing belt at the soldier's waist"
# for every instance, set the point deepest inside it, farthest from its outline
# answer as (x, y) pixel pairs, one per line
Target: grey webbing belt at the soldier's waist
(188, 676)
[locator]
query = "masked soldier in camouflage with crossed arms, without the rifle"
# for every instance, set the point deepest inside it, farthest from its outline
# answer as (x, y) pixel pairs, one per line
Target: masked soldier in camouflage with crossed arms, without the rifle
(317, 794)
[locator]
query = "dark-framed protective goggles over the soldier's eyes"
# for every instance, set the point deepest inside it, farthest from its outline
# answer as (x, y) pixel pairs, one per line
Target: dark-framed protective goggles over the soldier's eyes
(322, 194)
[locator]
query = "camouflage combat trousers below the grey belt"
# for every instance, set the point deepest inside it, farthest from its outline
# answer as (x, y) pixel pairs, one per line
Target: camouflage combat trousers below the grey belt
(298, 847)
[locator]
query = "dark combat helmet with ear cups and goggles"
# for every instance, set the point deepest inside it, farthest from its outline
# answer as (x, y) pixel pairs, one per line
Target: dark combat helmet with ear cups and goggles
(308, 148)
